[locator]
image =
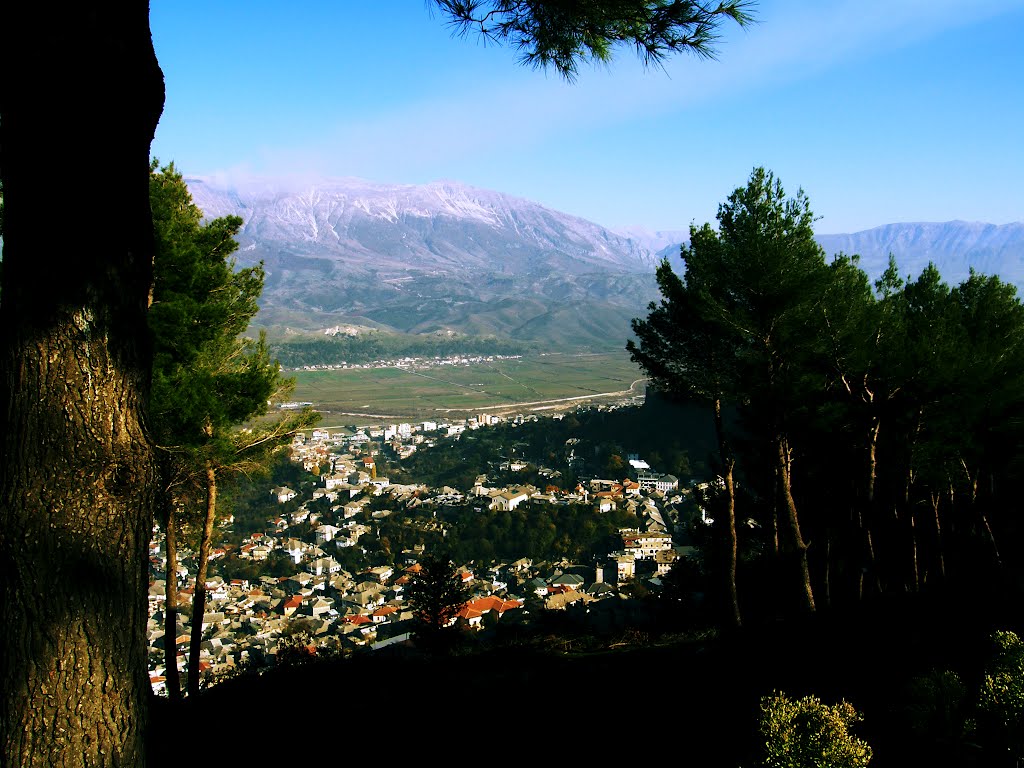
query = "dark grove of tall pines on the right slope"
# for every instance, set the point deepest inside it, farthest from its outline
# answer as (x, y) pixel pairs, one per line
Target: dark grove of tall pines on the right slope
(878, 432)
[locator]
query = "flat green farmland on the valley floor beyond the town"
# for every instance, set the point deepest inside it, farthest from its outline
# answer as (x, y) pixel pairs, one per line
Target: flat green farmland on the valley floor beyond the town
(535, 383)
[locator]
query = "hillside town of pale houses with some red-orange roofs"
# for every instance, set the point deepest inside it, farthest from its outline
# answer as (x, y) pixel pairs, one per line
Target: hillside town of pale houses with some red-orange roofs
(324, 609)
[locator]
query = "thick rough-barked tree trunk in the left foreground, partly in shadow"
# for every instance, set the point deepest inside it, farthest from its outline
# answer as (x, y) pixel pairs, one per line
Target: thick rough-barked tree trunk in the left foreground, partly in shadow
(77, 467)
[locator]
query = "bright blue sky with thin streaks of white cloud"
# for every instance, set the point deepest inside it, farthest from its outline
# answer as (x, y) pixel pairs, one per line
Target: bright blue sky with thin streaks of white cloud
(882, 111)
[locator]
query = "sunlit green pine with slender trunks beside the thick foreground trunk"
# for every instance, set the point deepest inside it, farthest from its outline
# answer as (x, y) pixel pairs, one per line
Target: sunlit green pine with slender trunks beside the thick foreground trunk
(209, 380)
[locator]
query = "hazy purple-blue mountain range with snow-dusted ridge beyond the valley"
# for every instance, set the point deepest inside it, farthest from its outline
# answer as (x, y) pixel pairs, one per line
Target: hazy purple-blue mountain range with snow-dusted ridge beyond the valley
(450, 260)
